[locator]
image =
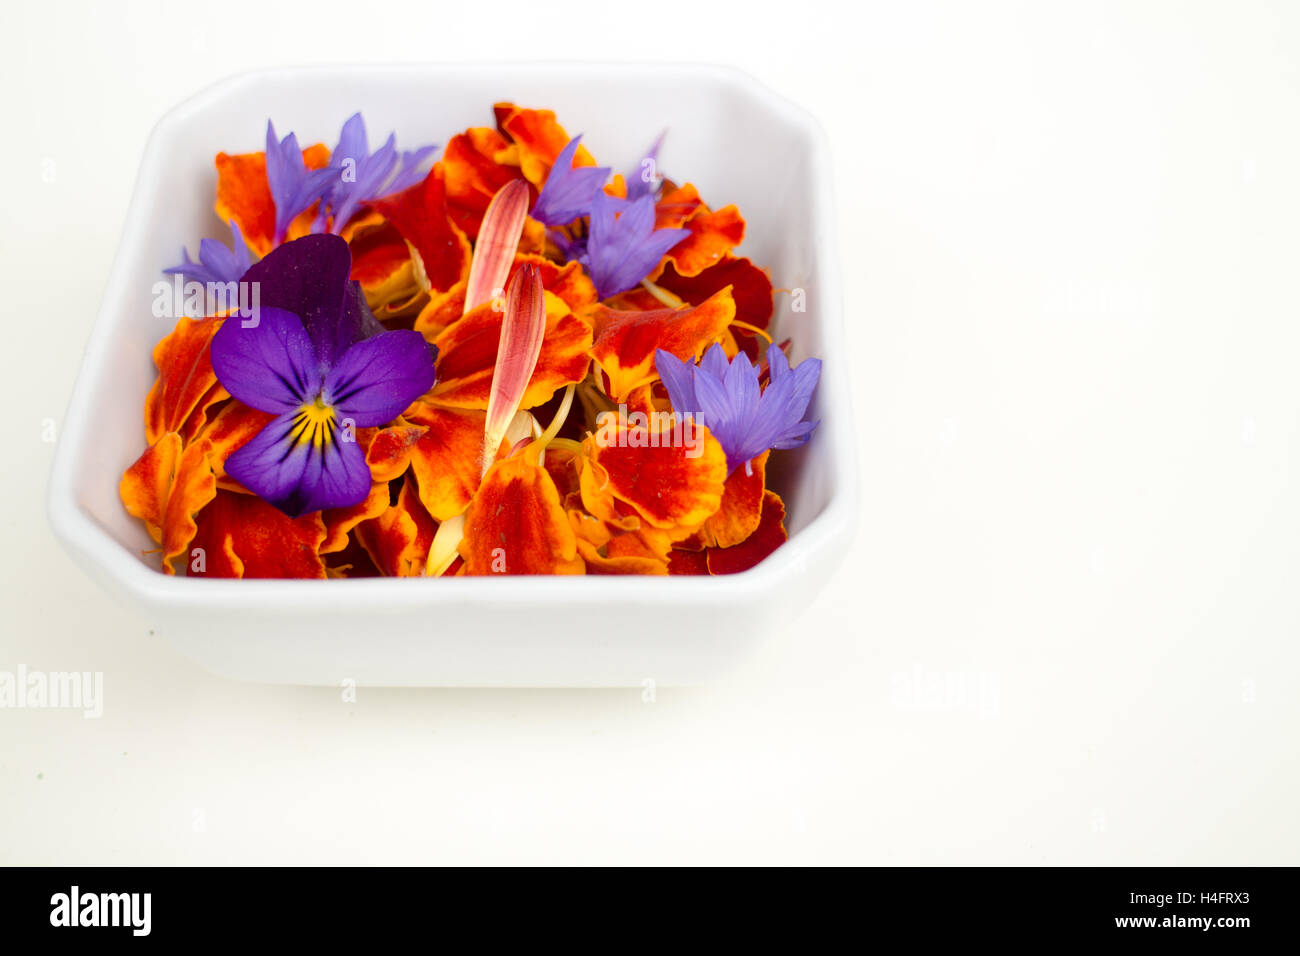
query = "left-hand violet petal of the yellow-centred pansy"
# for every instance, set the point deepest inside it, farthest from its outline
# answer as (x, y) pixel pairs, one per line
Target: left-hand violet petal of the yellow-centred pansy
(270, 365)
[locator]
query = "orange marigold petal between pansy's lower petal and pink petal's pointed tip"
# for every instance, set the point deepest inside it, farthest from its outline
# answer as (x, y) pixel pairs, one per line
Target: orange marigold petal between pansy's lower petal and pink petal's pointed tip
(448, 458)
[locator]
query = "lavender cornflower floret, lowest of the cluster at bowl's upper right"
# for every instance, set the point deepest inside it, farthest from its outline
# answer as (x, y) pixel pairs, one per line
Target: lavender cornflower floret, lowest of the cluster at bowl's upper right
(623, 246)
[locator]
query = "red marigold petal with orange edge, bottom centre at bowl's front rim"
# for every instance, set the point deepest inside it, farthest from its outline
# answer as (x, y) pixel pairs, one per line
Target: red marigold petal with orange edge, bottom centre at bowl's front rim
(515, 525)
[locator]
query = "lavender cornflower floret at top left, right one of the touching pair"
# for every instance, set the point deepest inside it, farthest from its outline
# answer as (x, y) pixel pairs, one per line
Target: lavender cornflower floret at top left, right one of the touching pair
(362, 176)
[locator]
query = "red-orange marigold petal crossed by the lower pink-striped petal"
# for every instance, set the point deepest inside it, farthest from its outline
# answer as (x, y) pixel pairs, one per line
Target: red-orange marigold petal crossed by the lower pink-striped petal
(467, 356)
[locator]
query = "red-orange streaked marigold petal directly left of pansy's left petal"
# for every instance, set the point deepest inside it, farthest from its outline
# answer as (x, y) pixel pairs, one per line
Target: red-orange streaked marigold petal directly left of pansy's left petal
(187, 386)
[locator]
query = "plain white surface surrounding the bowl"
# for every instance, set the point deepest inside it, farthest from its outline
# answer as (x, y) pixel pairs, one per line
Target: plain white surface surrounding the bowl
(1069, 629)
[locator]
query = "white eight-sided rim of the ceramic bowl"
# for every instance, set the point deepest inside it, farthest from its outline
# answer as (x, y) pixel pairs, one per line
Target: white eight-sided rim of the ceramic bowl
(827, 534)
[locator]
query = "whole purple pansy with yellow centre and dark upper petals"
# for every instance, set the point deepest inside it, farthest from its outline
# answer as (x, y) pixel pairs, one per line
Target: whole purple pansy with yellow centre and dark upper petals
(319, 361)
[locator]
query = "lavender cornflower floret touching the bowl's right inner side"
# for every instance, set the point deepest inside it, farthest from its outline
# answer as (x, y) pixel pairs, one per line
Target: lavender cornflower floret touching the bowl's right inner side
(727, 400)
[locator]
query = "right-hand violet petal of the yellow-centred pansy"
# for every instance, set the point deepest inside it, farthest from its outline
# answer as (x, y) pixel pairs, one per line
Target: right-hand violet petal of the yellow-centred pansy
(380, 377)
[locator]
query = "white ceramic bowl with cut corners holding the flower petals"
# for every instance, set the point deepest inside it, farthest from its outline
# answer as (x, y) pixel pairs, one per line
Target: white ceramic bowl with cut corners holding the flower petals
(735, 140)
